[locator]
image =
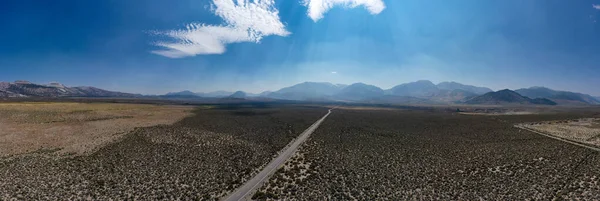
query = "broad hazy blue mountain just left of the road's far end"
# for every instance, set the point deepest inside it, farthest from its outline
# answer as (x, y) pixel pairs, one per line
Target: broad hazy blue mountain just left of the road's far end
(307, 91)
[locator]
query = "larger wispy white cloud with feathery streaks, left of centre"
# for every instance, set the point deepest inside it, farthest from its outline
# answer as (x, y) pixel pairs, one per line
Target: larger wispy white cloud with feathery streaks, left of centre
(245, 21)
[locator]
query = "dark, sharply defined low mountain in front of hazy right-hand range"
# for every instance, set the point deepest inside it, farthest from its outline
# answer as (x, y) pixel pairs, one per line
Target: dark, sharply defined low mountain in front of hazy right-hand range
(507, 97)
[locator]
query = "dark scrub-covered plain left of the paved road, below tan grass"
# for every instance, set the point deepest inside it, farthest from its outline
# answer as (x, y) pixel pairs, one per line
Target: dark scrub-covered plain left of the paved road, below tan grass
(200, 157)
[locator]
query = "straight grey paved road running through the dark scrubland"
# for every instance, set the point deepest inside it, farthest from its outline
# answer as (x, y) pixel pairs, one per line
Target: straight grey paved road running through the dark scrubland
(245, 191)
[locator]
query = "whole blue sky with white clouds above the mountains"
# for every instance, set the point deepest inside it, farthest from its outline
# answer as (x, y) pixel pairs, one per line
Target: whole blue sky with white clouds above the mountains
(157, 46)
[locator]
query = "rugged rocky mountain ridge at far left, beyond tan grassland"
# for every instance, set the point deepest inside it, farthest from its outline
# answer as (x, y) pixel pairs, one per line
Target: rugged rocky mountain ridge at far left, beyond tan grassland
(28, 89)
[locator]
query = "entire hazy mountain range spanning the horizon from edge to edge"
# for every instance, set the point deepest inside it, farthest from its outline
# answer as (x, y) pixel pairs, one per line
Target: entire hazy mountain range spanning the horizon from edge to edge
(418, 92)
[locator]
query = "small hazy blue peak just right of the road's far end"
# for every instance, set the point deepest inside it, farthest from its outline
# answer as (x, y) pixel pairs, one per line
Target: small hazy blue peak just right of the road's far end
(359, 91)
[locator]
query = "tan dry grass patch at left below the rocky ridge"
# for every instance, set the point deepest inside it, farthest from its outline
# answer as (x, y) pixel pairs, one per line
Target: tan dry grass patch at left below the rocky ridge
(78, 128)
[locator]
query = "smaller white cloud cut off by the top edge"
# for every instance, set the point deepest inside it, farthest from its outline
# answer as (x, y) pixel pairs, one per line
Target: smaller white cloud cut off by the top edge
(316, 8)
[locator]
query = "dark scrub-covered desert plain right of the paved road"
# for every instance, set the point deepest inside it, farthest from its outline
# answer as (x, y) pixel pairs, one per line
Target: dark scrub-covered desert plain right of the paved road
(400, 155)
